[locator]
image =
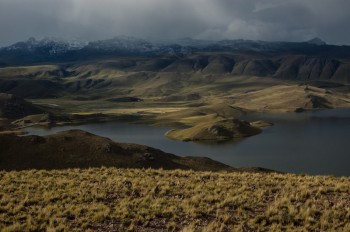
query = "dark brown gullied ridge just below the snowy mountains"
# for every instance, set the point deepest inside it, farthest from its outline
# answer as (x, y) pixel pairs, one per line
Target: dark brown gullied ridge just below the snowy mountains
(299, 67)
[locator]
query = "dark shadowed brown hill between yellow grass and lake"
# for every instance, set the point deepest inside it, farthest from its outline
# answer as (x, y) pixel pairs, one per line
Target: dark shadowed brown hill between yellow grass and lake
(79, 149)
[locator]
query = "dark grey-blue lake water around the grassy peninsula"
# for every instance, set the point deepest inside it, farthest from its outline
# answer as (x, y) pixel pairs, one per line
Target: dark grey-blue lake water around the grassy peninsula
(312, 143)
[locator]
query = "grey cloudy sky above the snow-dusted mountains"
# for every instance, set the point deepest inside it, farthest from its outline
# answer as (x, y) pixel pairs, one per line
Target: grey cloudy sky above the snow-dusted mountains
(270, 20)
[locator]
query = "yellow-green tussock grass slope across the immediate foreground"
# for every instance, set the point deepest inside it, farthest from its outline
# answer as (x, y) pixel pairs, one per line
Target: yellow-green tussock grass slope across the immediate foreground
(109, 199)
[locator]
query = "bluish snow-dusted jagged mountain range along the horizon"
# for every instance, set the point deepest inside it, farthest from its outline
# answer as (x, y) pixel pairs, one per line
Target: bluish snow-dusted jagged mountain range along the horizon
(48, 50)
